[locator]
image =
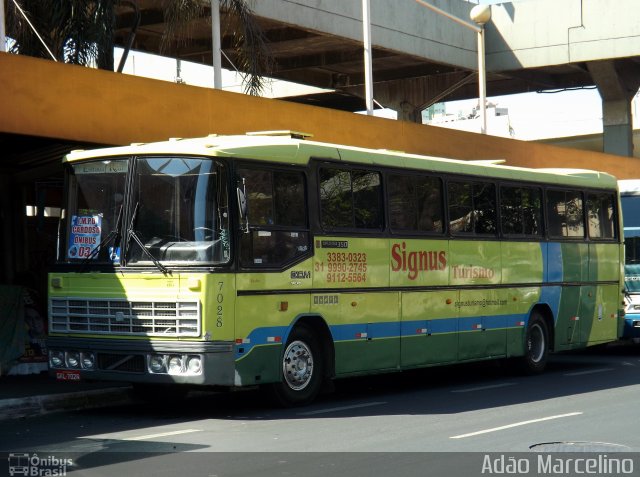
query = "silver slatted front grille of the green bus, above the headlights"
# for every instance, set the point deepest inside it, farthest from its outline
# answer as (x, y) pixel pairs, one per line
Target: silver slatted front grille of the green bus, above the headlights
(123, 317)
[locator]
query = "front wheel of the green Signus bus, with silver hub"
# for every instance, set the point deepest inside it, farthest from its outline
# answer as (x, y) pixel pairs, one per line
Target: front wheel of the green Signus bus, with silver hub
(301, 370)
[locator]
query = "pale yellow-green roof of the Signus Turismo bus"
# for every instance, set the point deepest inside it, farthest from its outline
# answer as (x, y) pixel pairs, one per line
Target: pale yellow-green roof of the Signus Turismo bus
(293, 148)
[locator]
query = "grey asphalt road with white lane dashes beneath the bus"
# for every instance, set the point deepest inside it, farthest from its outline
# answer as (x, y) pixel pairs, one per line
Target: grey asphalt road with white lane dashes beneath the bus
(441, 421)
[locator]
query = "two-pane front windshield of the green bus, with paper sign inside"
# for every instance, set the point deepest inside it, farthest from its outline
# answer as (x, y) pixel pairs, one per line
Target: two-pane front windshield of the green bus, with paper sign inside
(174, 211)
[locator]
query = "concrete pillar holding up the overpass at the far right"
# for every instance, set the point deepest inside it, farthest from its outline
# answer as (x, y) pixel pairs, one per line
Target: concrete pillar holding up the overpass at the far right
(617, 89)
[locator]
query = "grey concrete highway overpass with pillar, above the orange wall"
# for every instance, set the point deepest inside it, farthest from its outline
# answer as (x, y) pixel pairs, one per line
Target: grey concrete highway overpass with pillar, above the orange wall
(420, 57)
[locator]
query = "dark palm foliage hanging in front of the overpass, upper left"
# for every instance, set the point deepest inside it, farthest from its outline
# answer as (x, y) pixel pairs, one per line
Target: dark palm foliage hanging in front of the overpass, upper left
(82, 32)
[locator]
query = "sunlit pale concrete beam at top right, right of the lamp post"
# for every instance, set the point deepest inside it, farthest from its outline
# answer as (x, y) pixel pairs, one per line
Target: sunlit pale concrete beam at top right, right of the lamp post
(547, 32)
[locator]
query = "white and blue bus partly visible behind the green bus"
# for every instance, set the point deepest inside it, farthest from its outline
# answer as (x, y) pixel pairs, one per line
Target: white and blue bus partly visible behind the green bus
(630, 198)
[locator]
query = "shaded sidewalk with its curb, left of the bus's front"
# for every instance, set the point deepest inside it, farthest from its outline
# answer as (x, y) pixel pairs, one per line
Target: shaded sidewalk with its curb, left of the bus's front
(36, 394)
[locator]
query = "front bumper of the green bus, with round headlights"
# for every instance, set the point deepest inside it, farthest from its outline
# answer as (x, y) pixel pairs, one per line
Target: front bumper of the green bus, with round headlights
(206, 363)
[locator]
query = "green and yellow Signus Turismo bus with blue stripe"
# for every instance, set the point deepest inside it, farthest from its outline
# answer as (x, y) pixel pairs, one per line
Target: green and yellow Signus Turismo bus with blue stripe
(268, 259)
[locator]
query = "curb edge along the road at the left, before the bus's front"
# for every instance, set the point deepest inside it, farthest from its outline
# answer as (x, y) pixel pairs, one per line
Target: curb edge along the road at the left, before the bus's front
(32, 406)
